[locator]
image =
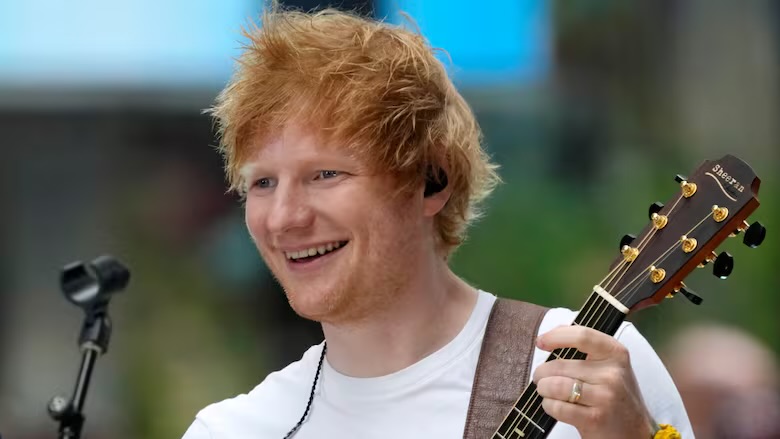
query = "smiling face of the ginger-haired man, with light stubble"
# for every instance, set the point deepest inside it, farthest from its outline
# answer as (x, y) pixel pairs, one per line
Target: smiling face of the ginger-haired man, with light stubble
(331, 230)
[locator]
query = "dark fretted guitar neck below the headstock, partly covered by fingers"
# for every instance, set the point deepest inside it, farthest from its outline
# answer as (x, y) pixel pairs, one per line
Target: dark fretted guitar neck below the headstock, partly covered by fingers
(527, 419)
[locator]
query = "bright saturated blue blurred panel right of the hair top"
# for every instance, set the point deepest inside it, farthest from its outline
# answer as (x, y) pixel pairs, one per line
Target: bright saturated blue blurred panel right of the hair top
(496, 41)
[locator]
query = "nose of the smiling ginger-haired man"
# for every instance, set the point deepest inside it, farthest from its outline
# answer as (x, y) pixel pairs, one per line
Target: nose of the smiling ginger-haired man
(289, 210)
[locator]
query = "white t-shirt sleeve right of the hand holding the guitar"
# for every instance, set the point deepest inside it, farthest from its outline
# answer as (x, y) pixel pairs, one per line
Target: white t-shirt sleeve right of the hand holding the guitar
(658, 390)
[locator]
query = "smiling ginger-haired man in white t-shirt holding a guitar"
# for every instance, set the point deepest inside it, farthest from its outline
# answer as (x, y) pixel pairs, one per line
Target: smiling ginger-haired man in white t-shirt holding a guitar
(362, 167)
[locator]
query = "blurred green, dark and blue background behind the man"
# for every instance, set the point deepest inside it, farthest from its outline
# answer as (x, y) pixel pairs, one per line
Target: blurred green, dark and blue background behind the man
(590, 107)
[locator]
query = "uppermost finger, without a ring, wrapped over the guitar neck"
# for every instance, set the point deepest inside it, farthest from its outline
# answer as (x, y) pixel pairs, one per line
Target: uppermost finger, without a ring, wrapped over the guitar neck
(594, 343)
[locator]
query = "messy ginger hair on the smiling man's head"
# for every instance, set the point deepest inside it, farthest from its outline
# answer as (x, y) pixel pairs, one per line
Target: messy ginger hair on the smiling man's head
(373, 87)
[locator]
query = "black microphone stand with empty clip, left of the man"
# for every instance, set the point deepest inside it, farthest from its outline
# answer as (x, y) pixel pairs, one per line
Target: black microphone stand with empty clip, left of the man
(89, 287)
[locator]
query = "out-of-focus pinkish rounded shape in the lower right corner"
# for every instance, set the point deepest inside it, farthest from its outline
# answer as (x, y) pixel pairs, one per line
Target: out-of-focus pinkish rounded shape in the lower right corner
(729, 382)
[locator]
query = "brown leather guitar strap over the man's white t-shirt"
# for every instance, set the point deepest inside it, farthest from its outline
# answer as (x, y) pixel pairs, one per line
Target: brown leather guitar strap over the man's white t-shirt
(504, 365)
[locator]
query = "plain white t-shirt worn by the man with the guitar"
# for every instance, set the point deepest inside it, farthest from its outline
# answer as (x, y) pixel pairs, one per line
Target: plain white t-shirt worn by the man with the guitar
(428, 399)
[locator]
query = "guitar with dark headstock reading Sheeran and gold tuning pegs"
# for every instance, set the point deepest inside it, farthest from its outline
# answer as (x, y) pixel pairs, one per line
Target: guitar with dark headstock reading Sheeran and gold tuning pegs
(710, 206)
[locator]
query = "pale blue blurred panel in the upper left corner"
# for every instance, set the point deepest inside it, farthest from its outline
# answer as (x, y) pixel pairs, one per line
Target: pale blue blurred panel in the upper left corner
(120, 42)
